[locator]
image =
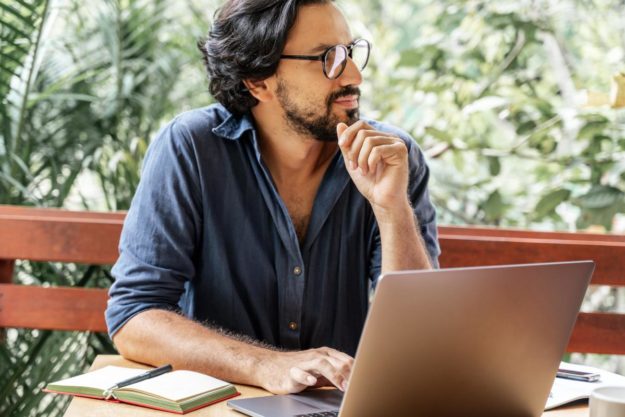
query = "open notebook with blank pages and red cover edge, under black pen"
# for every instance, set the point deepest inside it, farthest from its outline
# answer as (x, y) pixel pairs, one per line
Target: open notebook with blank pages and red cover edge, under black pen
(178, 391)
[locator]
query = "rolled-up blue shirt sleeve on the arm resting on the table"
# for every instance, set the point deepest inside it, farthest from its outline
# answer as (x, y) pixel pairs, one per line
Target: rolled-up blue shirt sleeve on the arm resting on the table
(160, 233)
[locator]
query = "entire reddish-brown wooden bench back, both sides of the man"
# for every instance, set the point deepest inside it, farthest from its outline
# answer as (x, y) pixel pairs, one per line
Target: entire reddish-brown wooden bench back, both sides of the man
(92, 238)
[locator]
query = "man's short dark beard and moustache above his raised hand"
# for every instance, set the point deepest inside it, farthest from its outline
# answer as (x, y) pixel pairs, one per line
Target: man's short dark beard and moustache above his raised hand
(306, 119)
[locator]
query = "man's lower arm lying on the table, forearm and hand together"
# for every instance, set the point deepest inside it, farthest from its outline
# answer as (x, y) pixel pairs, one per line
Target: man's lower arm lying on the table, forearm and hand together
(158, 337)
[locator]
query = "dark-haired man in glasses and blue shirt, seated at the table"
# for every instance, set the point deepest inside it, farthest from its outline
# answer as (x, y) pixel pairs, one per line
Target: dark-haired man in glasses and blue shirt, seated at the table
(260, 224)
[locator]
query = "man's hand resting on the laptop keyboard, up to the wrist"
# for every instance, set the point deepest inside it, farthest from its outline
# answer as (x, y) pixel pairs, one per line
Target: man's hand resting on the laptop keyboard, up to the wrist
(291, 372)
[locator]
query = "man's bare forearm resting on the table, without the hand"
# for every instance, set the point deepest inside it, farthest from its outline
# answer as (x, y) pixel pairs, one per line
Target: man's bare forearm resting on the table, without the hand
(157, 337)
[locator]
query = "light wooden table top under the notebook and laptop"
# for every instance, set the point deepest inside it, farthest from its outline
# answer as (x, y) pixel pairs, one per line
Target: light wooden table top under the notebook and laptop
(81, 407)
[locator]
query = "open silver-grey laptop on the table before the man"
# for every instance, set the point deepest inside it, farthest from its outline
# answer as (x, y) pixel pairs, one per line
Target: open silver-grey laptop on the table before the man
(483, 341)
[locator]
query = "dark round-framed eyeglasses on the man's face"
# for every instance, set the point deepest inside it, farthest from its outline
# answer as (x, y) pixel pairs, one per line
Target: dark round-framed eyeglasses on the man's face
(334, 58)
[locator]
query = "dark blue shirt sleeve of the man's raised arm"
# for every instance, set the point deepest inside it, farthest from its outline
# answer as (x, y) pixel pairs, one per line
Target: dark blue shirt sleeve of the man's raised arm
(423, 208)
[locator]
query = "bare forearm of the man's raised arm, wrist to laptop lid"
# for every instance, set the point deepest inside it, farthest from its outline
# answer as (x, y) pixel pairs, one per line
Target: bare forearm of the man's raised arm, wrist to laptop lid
(402, 245)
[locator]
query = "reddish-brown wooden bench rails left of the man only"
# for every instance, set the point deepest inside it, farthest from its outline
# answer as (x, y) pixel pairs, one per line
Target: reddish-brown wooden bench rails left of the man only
(58, 236)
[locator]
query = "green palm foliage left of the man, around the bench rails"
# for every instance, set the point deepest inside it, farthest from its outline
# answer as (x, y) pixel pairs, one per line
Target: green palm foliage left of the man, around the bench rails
(84, 87)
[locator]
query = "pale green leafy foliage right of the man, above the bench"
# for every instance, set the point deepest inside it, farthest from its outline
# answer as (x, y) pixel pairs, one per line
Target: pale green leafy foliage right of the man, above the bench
(489, 90)
